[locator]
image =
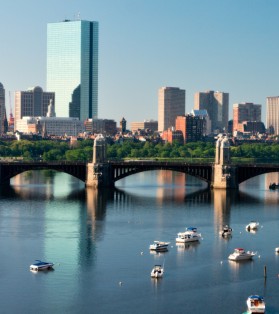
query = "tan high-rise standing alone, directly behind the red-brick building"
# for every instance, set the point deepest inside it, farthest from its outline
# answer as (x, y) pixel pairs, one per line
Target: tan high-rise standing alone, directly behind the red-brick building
(171, 103)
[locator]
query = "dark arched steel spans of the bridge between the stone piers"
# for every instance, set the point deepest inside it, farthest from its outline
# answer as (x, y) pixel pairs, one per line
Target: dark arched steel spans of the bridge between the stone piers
(121, 169)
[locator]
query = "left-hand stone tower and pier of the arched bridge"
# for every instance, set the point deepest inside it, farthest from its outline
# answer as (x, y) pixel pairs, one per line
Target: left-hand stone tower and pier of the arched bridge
(98, 174)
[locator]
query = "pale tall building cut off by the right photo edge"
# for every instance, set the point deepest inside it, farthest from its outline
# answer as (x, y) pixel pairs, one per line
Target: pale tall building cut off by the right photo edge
(272, 114)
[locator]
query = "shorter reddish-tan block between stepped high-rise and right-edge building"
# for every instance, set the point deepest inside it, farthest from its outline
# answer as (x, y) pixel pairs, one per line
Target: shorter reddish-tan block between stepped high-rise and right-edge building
(245, 112)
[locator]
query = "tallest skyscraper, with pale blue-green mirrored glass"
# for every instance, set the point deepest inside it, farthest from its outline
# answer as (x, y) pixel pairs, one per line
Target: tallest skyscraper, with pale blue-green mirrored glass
(72, 67)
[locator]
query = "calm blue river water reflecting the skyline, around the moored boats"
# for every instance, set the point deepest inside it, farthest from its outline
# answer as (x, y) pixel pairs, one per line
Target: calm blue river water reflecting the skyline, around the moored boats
(98, 240)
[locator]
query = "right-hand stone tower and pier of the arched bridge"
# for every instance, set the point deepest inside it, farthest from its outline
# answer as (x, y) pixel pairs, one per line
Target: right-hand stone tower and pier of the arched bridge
(224, 174)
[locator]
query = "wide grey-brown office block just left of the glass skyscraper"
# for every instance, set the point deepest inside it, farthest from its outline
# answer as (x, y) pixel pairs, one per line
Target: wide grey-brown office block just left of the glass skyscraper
(32, 103)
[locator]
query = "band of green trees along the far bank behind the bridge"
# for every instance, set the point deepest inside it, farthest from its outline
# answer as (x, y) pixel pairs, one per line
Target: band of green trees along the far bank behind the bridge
(82, 151)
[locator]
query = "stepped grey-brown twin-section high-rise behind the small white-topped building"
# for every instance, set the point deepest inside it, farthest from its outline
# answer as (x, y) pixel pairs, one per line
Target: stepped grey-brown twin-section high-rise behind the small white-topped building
(217, 106)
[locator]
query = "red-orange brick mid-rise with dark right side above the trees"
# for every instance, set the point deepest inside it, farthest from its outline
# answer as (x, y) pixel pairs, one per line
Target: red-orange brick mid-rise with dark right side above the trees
(192, 127)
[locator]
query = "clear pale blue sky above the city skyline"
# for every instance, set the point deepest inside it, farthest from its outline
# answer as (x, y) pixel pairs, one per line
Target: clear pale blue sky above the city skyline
(197, 45)
